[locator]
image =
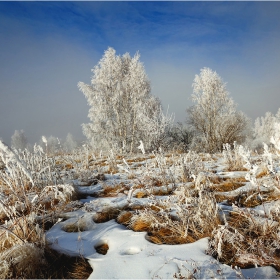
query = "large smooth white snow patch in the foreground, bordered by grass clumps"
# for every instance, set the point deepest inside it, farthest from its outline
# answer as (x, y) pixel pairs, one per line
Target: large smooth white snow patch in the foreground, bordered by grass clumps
(132, 256)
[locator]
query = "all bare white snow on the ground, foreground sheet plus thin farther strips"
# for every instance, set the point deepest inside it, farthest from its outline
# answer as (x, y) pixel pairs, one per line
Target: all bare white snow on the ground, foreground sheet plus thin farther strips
(130, 255)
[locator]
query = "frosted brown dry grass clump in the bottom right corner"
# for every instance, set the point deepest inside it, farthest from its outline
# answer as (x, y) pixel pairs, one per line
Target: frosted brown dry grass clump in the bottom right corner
(246, 241)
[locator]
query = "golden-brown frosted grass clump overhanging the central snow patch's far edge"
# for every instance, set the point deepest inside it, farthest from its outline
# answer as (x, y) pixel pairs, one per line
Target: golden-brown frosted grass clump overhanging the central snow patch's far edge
(190, 224)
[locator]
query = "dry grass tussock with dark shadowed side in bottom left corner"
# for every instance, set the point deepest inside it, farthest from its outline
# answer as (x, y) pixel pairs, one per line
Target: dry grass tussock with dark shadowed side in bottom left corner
(25, 261)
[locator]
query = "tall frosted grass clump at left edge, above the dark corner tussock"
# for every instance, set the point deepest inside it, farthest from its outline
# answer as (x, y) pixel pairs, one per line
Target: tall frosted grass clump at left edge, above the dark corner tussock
(29, 180)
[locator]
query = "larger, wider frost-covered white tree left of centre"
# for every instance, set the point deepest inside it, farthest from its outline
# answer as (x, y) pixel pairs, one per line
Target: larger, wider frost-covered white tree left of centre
(123, 111)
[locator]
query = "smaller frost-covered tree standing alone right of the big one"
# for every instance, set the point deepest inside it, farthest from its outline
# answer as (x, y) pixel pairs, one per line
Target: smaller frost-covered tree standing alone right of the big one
(214, 117)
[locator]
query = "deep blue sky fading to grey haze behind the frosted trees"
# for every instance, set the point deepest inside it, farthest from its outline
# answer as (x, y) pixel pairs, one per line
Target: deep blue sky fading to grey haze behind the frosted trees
(48, 47)
